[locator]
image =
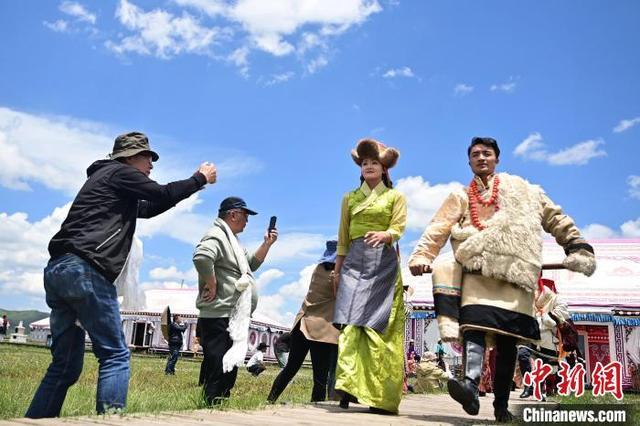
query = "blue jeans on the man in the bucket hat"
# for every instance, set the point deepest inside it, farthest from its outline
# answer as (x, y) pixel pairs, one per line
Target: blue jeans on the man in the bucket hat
(77, 292)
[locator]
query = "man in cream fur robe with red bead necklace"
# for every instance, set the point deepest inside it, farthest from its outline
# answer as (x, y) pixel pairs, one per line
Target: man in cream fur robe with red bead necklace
(486, 295)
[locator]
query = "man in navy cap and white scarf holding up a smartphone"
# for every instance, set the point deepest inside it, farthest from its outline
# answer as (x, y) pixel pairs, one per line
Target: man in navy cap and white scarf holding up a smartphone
(225, 282)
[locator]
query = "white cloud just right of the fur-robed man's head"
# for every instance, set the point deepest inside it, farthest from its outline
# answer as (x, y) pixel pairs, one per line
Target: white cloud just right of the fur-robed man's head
(532, 148)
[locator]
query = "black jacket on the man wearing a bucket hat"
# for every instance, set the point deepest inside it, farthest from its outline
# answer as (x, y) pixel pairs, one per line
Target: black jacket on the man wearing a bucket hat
(102, 219)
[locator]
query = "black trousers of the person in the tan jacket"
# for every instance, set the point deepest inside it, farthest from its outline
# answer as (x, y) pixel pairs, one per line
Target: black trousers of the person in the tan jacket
(322, 355)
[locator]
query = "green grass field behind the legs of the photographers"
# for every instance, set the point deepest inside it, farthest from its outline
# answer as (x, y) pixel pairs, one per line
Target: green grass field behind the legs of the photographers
(22, 368)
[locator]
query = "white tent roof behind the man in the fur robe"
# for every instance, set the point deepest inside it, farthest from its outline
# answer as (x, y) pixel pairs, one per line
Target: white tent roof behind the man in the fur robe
(615, 284)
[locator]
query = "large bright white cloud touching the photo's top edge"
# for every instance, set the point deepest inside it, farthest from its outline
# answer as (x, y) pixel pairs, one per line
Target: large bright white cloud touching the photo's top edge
(278, 27)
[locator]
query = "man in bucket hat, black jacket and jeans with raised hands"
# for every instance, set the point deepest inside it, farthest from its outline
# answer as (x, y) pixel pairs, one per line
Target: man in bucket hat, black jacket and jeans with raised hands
(87, 255)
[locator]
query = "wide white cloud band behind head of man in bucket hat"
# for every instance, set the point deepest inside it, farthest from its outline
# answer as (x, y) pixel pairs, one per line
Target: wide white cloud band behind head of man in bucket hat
(55, 151)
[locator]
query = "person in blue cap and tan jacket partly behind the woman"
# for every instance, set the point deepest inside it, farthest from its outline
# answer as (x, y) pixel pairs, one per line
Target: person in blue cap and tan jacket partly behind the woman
(313, 332)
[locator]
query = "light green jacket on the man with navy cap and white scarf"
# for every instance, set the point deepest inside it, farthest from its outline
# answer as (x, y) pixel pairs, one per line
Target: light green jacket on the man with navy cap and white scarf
(214, 255)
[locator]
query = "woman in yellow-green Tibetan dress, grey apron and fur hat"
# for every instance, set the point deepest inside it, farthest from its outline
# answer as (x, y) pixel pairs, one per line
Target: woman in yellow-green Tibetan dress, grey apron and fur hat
(369, 306)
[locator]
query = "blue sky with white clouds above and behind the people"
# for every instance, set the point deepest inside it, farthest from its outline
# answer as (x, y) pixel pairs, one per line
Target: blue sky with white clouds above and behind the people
(277, 93)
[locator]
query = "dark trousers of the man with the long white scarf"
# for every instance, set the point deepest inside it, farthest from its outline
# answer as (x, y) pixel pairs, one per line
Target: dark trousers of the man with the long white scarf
(215, 341)
